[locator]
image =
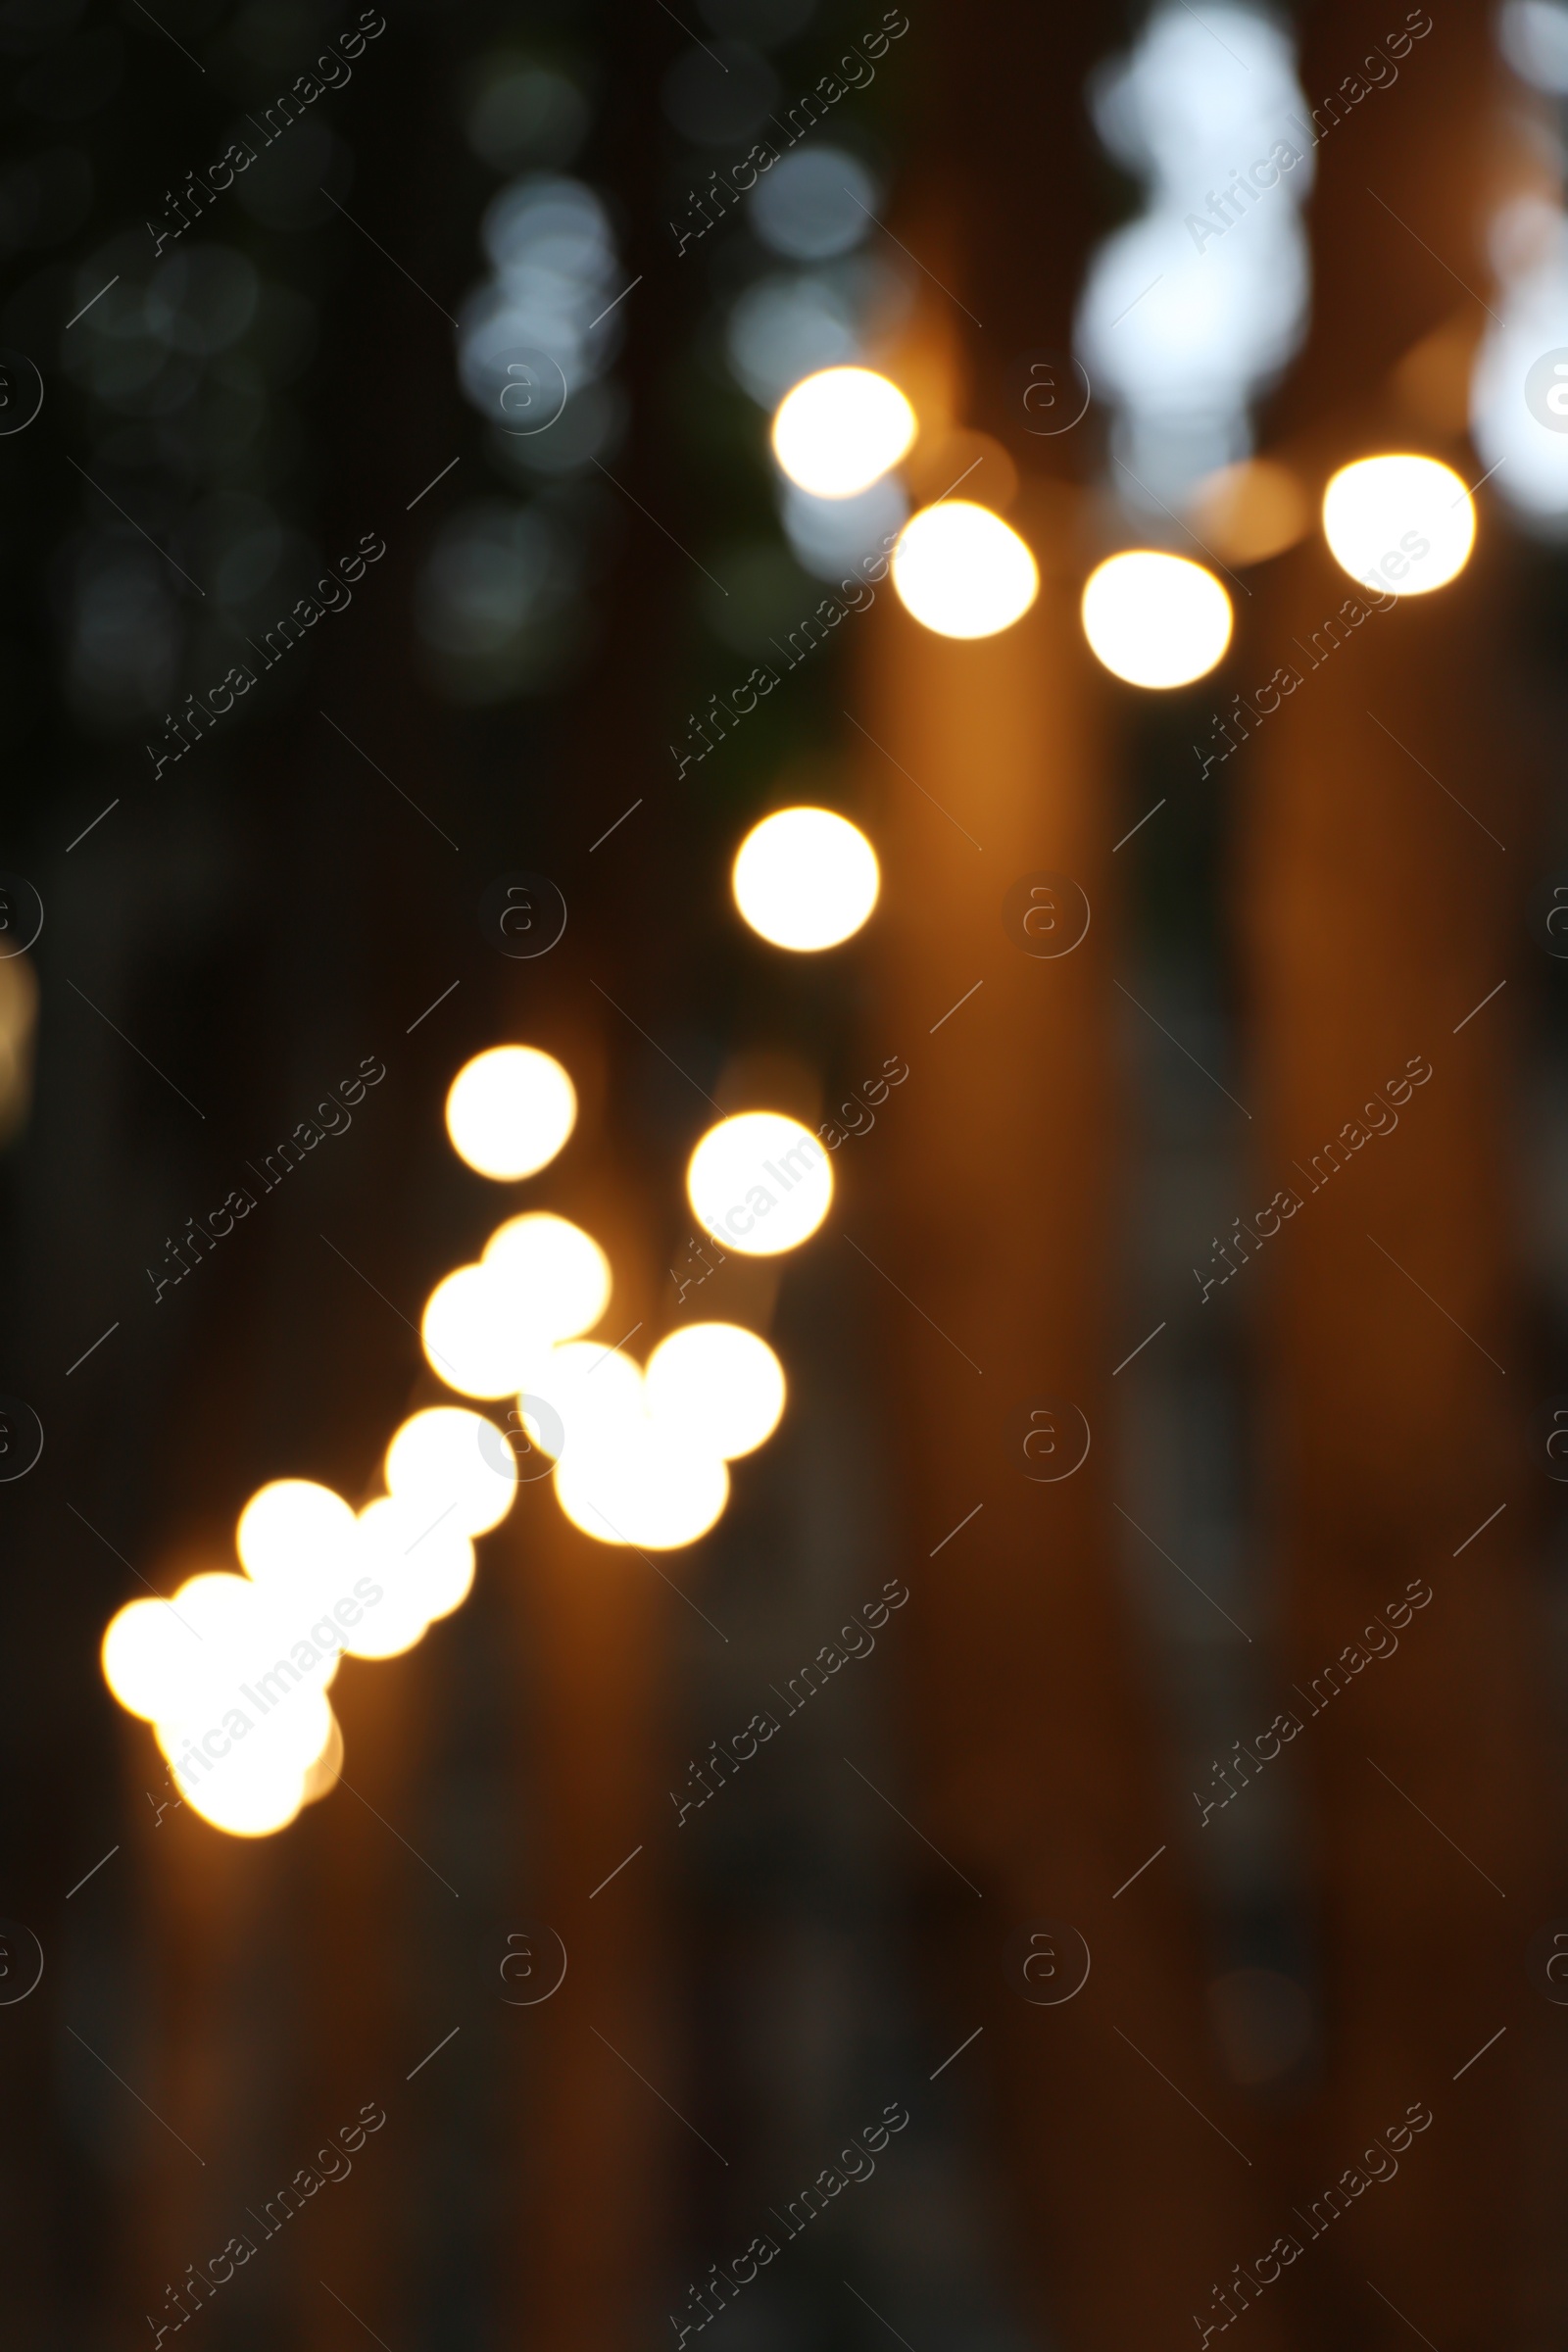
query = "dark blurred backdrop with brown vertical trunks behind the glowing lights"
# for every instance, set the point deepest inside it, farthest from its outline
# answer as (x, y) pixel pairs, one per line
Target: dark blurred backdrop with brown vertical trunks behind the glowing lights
(1362, 1410)
